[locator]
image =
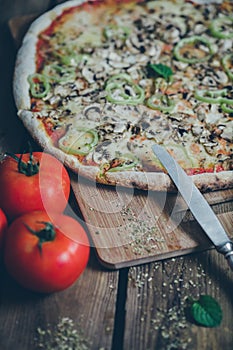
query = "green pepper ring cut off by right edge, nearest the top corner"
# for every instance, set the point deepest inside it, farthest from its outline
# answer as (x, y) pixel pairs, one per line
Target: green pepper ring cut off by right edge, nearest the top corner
(217, 27)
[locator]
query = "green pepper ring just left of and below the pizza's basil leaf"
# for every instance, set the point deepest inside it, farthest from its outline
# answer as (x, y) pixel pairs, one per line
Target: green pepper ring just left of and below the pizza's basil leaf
(116, 88)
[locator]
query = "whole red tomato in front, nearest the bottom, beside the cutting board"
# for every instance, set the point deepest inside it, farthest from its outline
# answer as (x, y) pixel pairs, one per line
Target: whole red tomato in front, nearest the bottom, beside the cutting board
(46, 254)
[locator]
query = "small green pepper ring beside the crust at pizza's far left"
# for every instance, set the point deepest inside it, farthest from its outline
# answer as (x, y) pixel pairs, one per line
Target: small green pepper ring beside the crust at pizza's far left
(39, 85)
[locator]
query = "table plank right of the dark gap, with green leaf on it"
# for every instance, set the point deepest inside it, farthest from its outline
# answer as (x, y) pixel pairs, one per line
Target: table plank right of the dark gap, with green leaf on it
(157, 296)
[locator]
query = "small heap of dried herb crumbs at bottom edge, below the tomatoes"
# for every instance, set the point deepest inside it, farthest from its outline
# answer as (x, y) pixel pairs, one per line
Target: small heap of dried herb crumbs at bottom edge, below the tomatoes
(64, 336)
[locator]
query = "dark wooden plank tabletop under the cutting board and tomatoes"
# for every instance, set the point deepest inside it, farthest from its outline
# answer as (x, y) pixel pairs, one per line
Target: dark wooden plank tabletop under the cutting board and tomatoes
(135, 308)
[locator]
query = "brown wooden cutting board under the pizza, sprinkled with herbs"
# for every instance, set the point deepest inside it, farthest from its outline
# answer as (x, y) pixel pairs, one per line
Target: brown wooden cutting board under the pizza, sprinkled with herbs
(130, 227)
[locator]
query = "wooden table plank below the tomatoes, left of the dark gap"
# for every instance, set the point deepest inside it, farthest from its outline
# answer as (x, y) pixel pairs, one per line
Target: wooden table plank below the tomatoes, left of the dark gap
(89, 303)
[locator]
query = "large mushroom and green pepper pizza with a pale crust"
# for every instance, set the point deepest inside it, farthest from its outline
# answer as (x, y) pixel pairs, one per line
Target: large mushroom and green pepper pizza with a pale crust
(98, 83)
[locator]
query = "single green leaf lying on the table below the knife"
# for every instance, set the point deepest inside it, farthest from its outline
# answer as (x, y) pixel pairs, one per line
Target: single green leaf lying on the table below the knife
(206, 311)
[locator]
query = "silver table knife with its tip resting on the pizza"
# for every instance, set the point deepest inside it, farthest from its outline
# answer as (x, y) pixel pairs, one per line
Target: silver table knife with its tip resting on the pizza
(198, 205)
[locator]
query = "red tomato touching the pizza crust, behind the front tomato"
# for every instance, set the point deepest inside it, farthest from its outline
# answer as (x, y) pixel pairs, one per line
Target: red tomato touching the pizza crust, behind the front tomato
(48, 189)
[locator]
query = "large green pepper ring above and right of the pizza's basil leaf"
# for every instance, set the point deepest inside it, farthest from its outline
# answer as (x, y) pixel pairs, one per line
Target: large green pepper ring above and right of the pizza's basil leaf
(191, 43)
